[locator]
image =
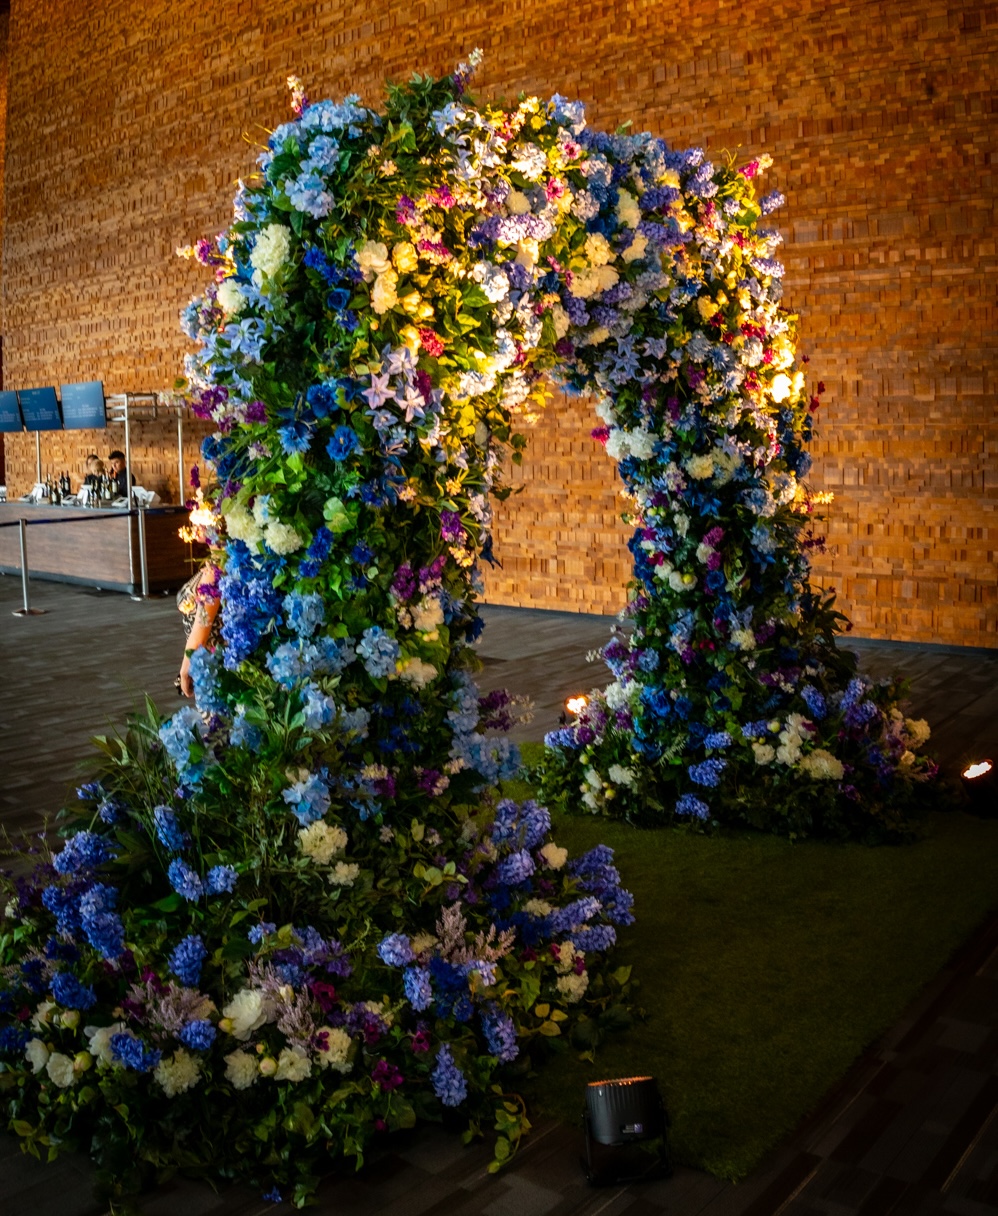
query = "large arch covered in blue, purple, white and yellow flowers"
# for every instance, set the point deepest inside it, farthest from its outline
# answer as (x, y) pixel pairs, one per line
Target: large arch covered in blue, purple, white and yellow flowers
(300, 915)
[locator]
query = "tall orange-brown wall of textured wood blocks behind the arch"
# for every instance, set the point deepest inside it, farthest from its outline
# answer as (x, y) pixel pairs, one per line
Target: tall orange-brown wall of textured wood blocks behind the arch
(125, 139)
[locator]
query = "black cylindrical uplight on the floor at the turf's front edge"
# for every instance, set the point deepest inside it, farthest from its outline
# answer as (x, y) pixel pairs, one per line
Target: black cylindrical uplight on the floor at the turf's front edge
(625, 1125)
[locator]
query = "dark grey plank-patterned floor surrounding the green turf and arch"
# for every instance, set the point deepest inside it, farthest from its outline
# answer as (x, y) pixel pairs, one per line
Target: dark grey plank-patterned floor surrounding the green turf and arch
(914, 1129)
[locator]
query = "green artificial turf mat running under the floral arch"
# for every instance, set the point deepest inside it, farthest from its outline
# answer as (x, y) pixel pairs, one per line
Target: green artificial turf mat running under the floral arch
(766, 969)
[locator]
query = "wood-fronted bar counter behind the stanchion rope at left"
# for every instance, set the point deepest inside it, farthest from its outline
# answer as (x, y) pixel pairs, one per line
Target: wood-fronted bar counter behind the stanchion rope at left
(97, 548)
